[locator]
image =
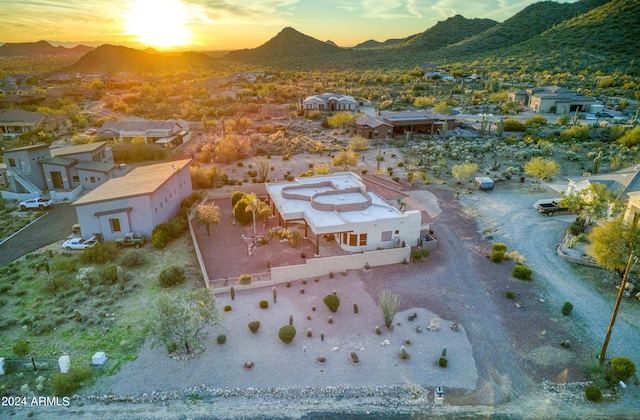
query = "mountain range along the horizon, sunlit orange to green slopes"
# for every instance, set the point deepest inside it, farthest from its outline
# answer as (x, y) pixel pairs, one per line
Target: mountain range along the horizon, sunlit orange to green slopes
(544, 35)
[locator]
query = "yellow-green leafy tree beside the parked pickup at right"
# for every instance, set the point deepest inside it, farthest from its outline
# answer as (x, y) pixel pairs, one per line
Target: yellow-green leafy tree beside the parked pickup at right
(593, 204)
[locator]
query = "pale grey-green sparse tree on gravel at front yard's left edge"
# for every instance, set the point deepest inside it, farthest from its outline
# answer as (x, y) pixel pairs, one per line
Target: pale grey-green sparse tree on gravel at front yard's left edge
(180, 320)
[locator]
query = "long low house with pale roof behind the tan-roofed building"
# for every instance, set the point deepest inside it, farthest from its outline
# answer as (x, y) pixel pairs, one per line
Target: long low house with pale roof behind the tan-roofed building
(171, 132)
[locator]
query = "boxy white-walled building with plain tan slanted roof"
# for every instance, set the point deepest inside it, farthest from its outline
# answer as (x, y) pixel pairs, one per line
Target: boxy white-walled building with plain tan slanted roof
(137, 202)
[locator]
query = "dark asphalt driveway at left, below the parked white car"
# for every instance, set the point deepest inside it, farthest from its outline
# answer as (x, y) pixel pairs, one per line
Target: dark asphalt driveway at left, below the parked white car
(54, 226)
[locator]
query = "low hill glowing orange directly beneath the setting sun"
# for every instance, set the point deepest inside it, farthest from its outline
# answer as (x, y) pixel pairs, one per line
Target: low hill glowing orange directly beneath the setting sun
(111, 58)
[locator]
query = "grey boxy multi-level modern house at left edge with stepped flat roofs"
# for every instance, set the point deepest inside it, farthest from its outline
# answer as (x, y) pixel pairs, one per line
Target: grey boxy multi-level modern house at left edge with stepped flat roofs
(32, 169)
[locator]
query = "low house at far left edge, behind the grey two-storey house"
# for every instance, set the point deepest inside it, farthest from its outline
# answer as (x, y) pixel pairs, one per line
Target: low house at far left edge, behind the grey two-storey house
(15, 123)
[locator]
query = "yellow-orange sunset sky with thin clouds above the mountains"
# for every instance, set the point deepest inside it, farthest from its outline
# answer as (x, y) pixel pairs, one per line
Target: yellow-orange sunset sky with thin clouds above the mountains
(231, 24)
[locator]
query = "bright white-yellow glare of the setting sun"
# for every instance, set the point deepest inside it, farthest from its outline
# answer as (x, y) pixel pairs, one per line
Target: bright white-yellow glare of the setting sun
(158, 23)
